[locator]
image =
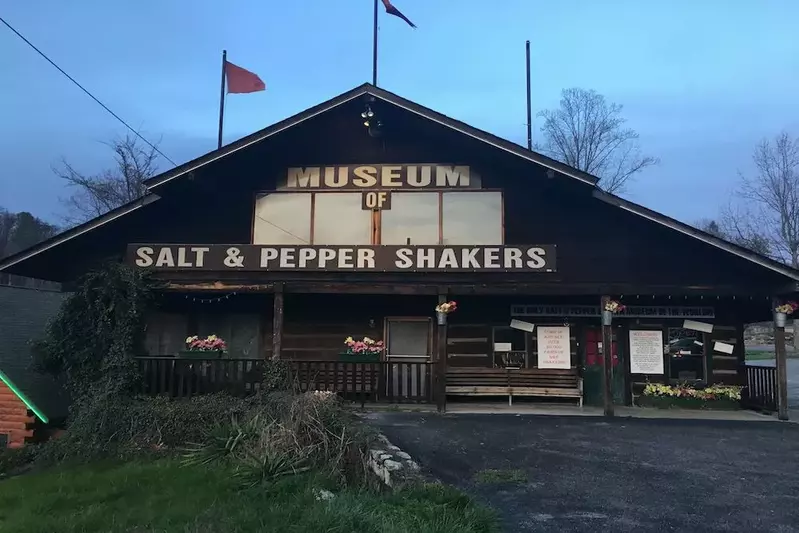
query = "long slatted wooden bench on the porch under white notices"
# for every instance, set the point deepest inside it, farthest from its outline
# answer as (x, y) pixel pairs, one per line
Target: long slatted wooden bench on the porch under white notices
(542, 383)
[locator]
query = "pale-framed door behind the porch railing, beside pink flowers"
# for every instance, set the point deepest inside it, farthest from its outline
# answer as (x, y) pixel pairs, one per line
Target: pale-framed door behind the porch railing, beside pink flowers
(408, 345)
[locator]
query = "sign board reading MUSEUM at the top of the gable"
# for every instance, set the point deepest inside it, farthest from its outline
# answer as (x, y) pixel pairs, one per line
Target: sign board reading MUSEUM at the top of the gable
(360, 177)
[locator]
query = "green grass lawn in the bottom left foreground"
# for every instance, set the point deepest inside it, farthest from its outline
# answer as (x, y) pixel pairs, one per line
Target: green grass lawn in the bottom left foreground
(163, 496)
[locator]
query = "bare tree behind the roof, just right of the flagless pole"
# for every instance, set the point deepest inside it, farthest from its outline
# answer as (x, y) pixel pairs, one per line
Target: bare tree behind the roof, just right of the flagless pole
(586, 132)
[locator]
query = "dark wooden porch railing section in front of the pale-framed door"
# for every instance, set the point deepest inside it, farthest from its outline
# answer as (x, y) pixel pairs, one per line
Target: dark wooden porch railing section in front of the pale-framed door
(385, 381)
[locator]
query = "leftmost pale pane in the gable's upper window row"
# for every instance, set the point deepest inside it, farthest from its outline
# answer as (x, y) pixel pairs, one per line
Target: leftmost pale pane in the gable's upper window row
(282, 219)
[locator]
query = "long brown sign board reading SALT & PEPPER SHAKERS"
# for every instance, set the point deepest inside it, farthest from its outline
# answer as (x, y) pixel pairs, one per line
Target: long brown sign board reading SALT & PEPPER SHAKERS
(253, 258)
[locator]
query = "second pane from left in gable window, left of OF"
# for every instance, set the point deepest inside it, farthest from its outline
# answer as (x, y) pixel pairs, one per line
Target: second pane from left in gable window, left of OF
(339, 219)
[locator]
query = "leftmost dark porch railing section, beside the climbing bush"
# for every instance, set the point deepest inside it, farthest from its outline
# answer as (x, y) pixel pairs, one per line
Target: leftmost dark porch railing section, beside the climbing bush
(183, 378)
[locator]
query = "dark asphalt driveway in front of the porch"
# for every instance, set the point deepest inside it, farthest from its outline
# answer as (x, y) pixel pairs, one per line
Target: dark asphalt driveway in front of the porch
(589, 474)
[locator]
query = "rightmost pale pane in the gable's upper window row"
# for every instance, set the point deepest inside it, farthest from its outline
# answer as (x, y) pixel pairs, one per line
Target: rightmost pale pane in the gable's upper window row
(472, 217)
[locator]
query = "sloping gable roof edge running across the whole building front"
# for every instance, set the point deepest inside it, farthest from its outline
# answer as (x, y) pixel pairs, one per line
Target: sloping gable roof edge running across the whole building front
(368, 89)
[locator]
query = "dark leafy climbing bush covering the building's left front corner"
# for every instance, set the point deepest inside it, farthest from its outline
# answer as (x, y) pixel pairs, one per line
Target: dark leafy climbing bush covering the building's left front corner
(98, 330)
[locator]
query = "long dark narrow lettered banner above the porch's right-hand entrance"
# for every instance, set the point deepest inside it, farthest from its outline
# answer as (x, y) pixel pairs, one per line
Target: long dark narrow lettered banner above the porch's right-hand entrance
(630, 311)
